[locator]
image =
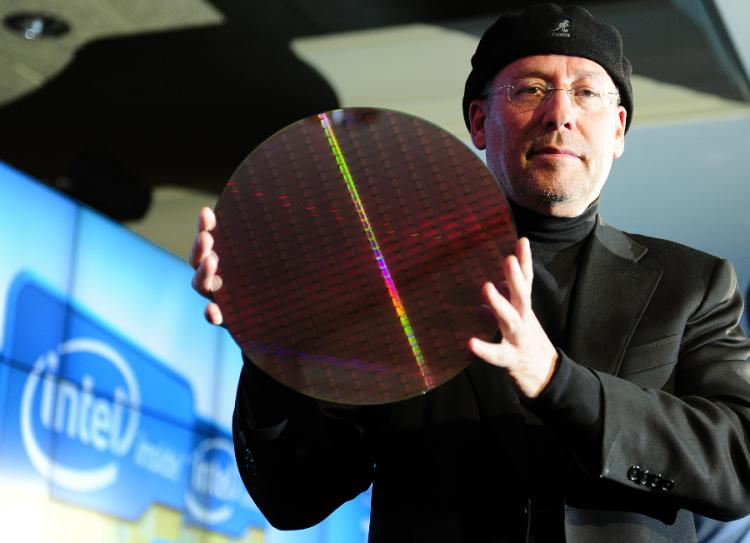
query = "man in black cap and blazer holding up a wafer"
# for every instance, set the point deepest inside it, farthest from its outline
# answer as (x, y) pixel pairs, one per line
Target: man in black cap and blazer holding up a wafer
(618, 398)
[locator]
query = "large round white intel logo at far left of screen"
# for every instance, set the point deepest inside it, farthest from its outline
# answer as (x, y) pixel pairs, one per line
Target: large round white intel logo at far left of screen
(88, 433)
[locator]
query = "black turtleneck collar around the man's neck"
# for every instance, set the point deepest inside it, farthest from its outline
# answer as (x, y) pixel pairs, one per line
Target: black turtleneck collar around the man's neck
(554, 231)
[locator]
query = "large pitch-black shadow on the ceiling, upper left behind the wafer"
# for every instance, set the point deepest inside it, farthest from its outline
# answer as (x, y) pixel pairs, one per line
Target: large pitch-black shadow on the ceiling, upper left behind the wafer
(180, 107)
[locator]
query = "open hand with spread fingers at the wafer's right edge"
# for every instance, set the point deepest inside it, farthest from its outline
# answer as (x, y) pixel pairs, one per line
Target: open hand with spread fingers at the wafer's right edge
(525, 350)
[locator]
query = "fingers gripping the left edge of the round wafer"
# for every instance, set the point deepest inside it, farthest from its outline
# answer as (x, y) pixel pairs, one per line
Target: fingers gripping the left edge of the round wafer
(205, 262)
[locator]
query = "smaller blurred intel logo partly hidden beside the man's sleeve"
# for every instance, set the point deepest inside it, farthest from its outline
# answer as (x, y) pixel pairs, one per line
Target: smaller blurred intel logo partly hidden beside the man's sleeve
(214, 482)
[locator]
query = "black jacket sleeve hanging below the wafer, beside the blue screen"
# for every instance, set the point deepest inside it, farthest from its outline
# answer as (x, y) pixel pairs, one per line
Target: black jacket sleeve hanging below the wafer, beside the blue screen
(299, 458)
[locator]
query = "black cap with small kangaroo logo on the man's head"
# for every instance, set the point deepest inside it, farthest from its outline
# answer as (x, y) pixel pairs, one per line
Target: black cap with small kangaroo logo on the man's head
(549, 29)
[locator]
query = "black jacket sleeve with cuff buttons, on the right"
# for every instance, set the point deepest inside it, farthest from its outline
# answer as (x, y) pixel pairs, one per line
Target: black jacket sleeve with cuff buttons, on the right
(687, 443)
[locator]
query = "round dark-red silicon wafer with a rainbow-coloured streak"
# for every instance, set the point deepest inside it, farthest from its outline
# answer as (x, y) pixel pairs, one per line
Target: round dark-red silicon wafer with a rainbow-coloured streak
(353, 246)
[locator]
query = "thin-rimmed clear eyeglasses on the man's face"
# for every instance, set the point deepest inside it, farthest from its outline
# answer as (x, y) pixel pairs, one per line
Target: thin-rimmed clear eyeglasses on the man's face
(528, 96)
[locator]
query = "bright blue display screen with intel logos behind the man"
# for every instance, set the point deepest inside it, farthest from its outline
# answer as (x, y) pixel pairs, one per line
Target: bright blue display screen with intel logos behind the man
(116, 395)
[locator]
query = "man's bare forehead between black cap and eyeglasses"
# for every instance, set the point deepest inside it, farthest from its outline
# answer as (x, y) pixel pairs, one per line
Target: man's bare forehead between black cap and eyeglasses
(552, 66)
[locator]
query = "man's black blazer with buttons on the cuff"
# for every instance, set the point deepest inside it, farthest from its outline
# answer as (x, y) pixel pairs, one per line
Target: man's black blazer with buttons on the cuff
(656, 323)
